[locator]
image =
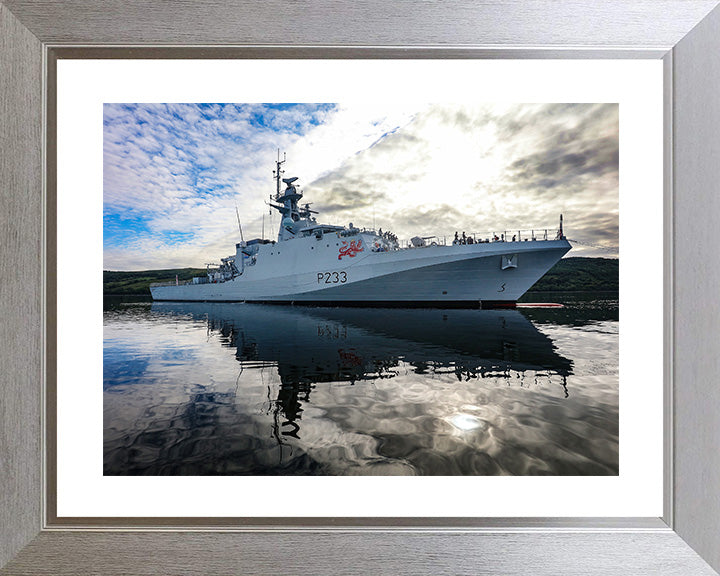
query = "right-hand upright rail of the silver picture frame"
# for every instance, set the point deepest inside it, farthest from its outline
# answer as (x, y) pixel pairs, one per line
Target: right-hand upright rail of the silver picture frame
(697, 289)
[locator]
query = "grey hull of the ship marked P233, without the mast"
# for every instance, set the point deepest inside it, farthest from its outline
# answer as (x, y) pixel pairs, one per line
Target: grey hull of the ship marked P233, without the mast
(310, 272)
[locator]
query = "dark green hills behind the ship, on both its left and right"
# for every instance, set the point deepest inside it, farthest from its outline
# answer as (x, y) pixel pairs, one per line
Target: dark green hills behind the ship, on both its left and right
(568, 275)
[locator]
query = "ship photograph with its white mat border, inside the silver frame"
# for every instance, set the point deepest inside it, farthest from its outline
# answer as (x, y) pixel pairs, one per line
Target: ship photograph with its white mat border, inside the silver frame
(371, 361)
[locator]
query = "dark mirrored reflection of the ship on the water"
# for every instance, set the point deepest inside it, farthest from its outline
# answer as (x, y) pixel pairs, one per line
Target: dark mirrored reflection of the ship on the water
(316, 345)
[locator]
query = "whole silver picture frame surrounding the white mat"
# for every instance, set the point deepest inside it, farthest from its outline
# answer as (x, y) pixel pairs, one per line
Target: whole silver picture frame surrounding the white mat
(684, 34)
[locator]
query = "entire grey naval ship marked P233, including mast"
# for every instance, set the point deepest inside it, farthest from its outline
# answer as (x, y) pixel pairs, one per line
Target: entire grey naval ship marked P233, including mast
(323, 264)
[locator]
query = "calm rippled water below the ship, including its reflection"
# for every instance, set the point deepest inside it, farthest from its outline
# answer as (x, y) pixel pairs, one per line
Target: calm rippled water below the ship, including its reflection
(218, 389)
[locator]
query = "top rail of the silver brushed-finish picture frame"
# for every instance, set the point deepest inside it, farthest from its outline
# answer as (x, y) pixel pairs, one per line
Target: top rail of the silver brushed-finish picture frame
(377, 22)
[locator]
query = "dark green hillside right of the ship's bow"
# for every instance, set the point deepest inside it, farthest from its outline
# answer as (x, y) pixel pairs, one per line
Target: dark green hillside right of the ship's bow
(580, 275)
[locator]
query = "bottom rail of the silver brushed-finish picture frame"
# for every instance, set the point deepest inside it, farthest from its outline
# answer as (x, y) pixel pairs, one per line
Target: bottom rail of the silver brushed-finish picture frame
(358, 553)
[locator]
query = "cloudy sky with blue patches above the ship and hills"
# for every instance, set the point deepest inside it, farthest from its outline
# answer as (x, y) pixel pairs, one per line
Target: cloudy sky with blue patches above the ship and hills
(174, 173)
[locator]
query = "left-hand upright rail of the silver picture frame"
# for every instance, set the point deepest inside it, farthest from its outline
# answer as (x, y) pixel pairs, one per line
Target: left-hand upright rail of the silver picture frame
(20, 328)
